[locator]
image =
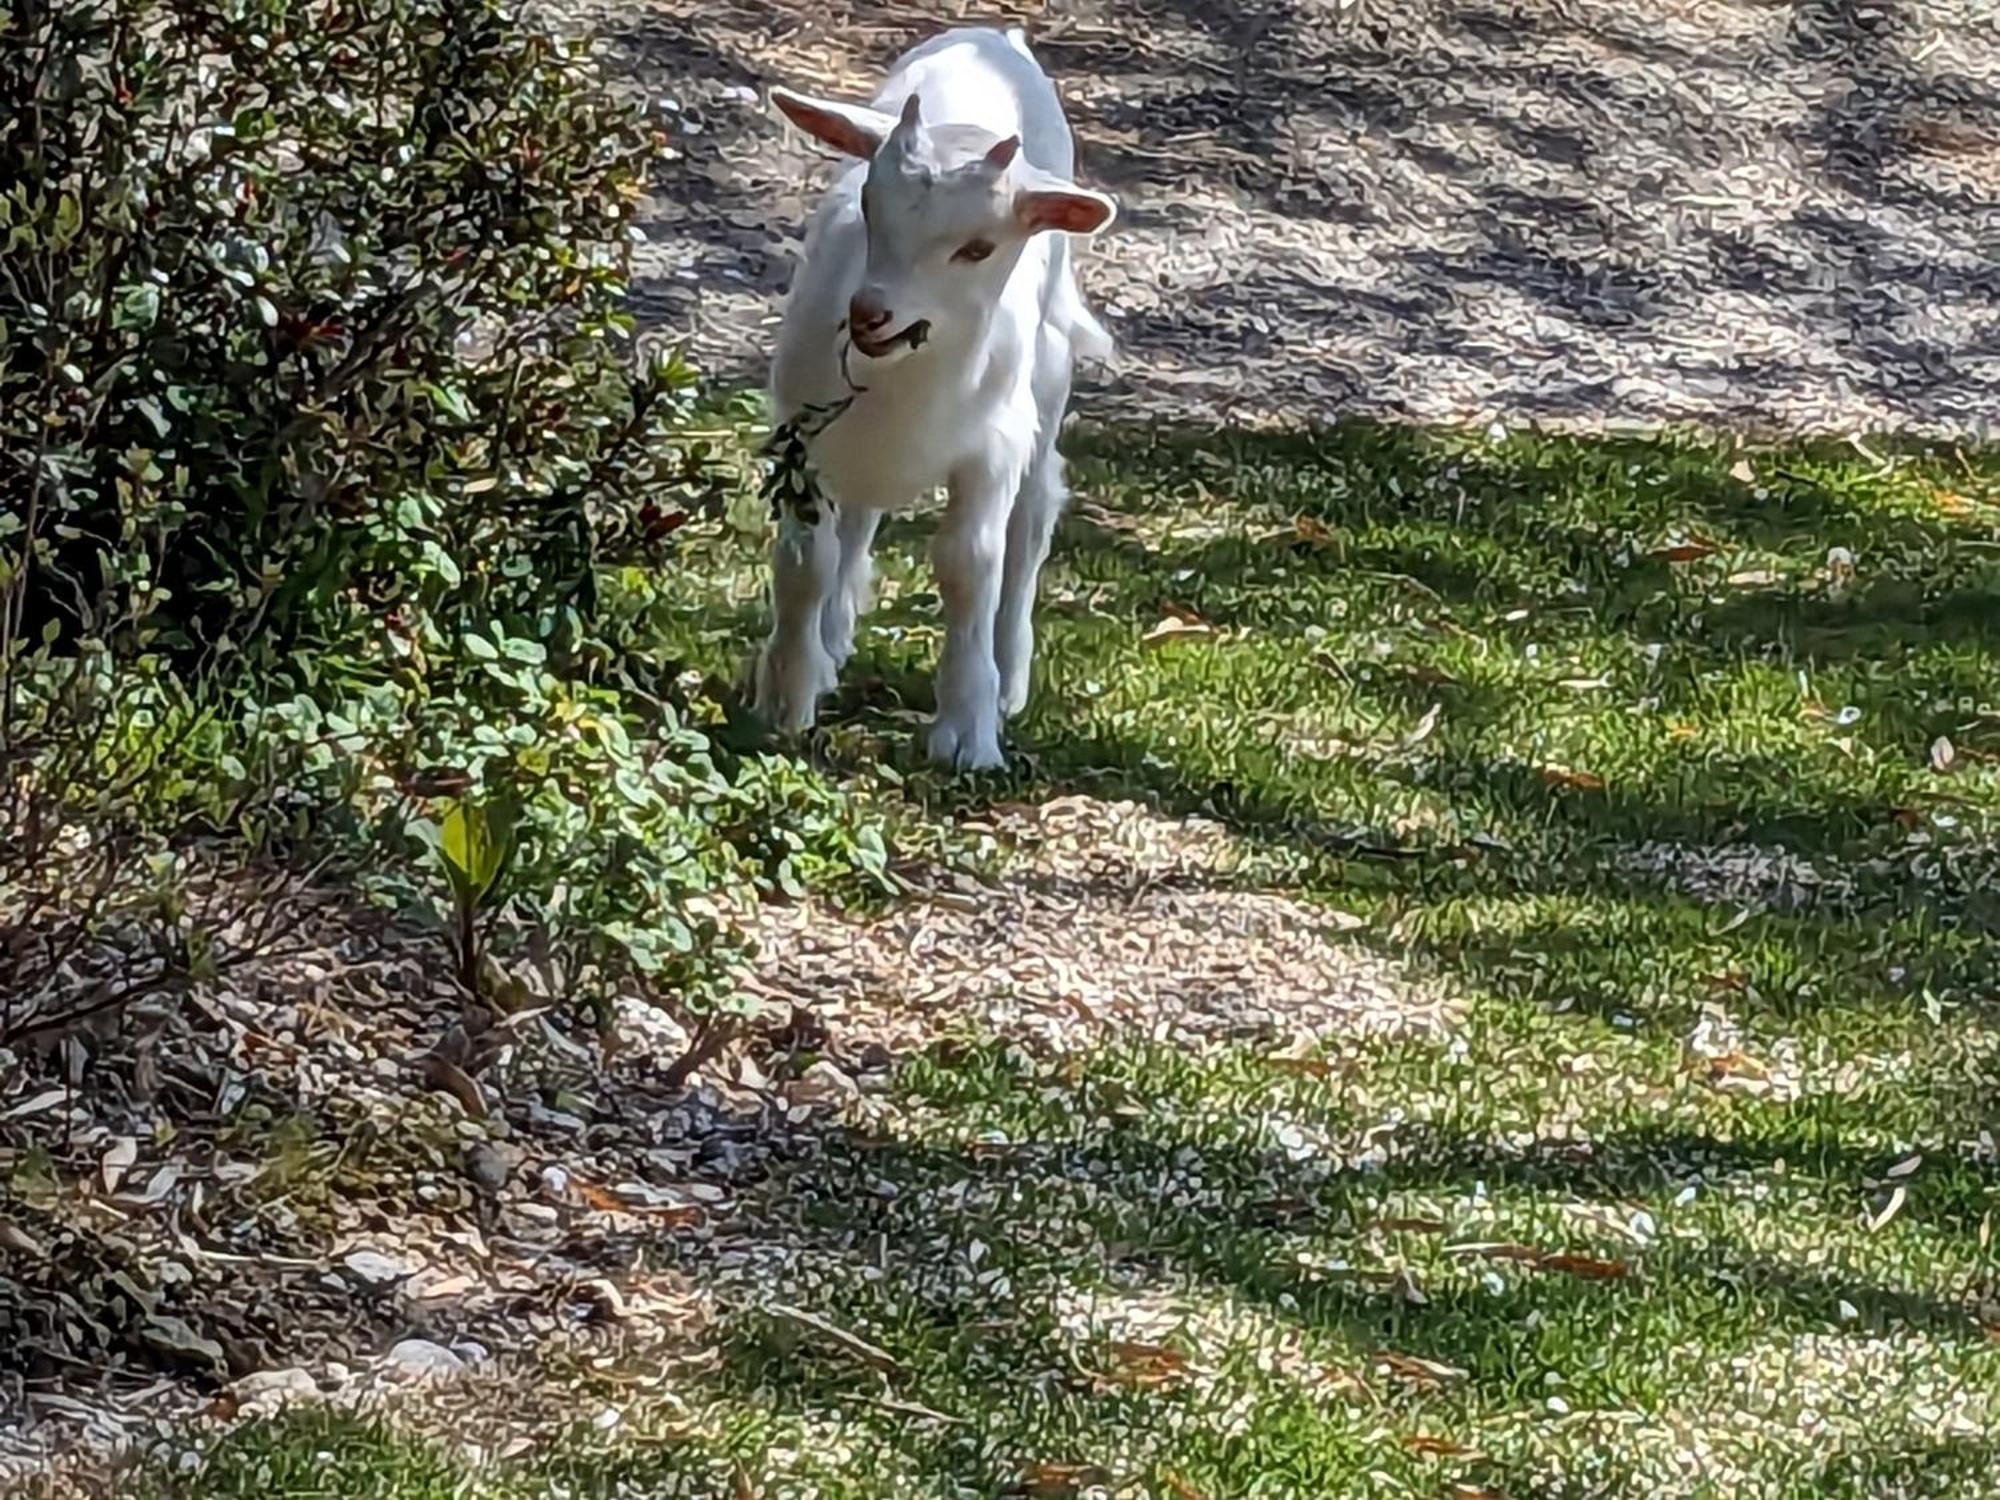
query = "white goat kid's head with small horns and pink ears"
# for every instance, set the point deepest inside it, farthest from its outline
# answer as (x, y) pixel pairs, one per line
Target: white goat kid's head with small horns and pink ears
(947, 213)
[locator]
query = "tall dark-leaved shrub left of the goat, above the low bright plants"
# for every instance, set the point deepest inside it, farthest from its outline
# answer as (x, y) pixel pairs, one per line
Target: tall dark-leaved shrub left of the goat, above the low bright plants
(311, 315)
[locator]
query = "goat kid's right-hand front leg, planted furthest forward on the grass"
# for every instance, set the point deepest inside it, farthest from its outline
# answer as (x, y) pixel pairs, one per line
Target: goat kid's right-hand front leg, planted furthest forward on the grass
(969, 557)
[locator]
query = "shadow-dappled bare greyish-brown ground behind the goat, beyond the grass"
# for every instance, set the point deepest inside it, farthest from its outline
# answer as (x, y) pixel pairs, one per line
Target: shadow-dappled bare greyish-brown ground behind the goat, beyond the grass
(1587, 213)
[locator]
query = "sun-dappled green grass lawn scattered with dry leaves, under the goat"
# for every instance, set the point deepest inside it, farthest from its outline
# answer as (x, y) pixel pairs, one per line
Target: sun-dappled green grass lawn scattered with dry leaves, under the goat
(1459, 689)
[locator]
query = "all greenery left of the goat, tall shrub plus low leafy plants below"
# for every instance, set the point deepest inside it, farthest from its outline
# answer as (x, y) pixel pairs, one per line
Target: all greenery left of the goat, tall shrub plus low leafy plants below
(321, 431)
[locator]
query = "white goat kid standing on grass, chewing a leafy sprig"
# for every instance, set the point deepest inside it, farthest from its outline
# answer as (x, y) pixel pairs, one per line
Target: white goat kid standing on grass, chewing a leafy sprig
(937, 291)
